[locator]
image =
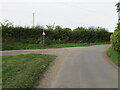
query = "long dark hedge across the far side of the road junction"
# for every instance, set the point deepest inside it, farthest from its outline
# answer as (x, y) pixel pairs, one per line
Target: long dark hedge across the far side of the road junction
(54, 34)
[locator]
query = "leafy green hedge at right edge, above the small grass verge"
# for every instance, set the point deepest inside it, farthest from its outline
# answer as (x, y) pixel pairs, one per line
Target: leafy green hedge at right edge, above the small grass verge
(116, 40)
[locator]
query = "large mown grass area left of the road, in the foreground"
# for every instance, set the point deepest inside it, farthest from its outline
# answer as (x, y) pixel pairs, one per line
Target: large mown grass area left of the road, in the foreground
(22, 71)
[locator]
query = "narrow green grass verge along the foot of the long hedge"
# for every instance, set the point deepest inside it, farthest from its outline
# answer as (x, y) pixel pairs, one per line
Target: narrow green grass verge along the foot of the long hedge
(20, 46)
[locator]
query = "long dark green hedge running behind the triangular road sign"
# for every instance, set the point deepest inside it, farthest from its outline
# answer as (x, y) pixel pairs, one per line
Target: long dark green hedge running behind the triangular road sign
(63, 35)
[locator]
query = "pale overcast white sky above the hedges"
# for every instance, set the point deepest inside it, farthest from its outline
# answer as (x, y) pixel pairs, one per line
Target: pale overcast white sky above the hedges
(66, 13)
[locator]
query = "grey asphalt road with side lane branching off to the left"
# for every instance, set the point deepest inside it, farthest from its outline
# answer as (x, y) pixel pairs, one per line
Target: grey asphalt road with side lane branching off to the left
(76, 67)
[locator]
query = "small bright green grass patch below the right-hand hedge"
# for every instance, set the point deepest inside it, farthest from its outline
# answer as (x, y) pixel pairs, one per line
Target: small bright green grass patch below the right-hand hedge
(114, 55)
